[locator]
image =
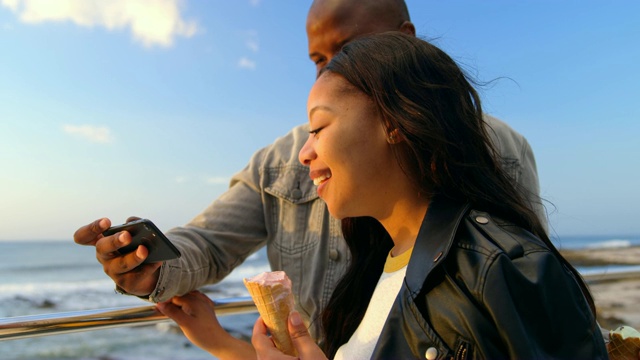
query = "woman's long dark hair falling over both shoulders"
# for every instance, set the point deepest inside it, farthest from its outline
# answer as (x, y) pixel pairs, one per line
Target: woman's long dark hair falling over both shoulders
(420, 91)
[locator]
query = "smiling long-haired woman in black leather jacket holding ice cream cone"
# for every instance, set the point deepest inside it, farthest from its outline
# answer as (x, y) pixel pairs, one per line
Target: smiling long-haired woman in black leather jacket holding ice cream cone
(399, 152)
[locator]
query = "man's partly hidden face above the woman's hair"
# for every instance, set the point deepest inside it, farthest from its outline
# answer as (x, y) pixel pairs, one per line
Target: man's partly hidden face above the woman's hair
(329, 29)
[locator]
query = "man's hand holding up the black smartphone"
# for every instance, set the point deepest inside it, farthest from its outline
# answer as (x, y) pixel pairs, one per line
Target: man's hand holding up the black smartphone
(127, 271)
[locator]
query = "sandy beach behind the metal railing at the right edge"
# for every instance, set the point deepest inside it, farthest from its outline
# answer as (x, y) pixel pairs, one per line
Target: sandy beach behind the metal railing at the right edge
(617, 301)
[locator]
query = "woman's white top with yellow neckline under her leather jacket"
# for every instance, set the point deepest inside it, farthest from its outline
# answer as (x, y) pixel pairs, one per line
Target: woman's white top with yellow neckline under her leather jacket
(364, 339)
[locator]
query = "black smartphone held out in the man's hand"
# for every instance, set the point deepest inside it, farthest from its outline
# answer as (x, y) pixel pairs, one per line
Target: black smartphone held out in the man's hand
(144, 232)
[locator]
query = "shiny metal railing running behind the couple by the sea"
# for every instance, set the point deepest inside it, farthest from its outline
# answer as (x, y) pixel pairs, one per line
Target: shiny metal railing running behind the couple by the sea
(53, 324)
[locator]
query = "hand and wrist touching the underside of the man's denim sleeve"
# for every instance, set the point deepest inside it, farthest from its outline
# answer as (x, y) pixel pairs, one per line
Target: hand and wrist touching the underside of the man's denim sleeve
(196, 316)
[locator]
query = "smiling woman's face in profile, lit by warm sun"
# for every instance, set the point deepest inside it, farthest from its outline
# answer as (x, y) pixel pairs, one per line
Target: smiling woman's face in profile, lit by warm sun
(349, 157)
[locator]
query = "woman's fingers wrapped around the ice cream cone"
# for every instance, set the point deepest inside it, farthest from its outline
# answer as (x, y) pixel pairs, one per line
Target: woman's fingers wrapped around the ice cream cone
(302, 341)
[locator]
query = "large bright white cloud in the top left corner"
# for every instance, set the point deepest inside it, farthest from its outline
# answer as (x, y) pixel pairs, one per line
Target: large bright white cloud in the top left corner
(152, 22)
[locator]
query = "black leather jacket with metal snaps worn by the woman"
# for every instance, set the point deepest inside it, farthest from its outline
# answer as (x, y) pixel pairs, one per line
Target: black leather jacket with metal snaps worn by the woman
(478, 287)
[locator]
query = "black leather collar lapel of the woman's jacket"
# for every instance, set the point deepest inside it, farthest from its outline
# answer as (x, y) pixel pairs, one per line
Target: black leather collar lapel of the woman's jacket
(434, 240)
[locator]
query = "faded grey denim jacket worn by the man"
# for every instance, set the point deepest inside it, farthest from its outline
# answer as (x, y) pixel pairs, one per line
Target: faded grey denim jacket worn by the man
(273, 202)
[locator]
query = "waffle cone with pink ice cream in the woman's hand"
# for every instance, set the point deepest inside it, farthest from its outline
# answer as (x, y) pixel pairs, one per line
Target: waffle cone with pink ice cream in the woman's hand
(271, 292)
